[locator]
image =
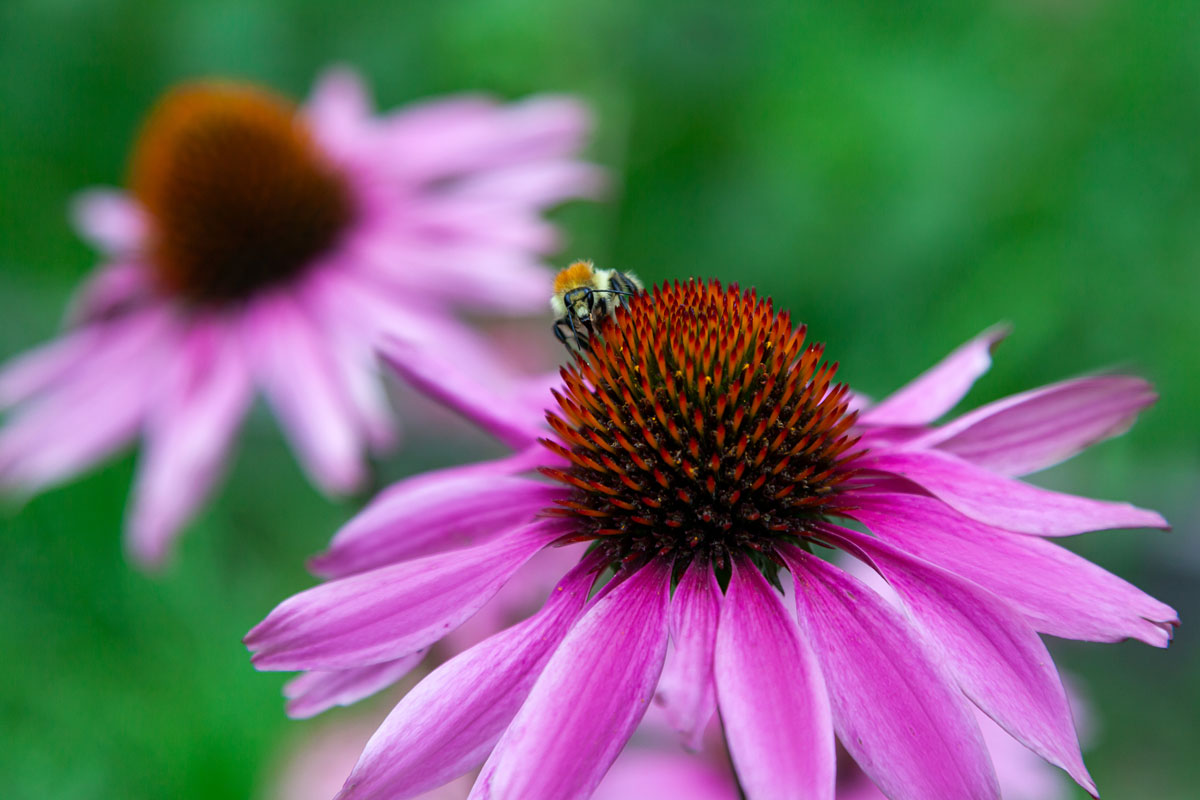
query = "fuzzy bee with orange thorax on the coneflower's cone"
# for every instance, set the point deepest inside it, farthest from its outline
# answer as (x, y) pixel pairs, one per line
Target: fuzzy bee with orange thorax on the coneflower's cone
(583, 297)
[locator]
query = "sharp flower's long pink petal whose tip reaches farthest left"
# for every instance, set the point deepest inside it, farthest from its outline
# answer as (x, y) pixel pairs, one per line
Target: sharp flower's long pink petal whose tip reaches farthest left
(392, 612)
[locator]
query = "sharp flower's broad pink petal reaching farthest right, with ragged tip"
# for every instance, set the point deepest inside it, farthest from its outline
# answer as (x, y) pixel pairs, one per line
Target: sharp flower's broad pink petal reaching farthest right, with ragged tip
(1059, 592)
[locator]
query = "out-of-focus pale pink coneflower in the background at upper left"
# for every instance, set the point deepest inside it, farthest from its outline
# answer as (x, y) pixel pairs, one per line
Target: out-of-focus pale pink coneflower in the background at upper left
(263, 246)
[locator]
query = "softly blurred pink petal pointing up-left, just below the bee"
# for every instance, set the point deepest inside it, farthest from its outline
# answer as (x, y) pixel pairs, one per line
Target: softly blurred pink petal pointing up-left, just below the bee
(505, 417)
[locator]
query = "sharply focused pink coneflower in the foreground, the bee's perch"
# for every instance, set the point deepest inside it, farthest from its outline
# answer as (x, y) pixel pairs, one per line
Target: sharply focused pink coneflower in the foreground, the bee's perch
(706, 456)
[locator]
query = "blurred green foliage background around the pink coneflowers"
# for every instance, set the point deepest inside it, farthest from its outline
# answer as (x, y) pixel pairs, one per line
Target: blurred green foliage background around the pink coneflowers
(901, 176)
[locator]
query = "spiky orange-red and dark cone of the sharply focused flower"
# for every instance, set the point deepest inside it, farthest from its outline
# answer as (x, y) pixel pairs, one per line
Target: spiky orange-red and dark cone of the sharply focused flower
(700, 426)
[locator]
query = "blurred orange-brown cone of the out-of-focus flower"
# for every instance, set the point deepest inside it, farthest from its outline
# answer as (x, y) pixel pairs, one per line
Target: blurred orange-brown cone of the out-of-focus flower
(238, 195)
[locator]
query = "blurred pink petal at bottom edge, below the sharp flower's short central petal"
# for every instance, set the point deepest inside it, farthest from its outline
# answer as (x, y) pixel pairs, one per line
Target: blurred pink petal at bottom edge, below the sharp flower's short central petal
(649, 775)
